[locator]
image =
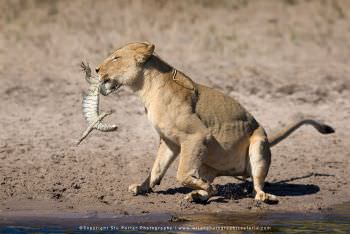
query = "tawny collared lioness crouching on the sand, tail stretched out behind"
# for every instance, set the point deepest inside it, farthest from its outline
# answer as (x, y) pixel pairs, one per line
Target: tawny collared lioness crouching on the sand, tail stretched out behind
(211, 132)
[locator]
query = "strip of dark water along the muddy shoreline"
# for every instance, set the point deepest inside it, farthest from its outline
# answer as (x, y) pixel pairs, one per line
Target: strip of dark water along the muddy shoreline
(335, 220)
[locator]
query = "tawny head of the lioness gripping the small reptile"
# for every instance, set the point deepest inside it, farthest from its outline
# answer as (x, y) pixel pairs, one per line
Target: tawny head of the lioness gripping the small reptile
(124, 66)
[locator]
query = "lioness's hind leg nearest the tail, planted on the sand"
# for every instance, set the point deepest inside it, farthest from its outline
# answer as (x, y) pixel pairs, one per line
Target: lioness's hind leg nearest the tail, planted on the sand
(259, 159)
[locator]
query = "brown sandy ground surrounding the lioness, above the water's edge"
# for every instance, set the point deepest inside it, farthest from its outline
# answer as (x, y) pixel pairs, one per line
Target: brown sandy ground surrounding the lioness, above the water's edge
(280, 59)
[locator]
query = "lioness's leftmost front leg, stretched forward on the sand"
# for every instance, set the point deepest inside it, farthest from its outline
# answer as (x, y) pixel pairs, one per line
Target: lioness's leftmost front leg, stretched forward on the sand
(167, 152)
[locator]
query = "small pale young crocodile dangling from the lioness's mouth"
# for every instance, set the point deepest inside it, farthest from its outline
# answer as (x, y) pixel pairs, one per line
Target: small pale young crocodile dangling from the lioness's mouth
(91, 106)
